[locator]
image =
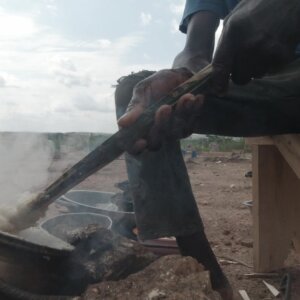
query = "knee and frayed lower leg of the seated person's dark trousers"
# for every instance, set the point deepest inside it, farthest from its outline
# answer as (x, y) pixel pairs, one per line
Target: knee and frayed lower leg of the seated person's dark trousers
(164, 203)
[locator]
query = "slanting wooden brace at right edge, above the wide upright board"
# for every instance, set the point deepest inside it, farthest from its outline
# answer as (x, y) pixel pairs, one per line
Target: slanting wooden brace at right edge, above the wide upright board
(289, 146)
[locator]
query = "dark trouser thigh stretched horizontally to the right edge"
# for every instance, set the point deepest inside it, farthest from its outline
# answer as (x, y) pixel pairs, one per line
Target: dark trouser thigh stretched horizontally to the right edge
(266, 106)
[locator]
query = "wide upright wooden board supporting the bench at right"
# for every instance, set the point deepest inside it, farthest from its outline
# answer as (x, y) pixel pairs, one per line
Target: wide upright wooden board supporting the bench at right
(276, 210)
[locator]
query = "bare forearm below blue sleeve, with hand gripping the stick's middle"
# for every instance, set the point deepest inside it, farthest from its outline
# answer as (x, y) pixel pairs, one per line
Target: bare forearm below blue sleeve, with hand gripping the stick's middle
(197, 53)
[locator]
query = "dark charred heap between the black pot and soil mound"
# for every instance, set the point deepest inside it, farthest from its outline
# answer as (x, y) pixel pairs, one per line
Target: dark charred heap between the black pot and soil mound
(102, 255)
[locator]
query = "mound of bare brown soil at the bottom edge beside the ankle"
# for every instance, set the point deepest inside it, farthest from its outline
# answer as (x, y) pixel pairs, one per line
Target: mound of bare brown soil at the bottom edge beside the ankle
(170, 277)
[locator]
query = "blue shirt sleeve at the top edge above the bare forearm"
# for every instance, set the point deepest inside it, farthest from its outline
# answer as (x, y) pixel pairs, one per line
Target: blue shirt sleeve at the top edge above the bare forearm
(220, 7)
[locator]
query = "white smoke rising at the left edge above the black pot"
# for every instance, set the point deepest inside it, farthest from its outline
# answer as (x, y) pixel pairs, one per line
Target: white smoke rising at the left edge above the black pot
(24, 160)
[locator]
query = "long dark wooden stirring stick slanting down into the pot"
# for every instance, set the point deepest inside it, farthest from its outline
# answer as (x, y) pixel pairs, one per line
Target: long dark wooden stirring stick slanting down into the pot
(108, 151)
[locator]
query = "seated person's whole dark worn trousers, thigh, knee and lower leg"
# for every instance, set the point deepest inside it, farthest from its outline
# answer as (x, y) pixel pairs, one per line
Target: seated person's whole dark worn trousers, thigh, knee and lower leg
(163, 200)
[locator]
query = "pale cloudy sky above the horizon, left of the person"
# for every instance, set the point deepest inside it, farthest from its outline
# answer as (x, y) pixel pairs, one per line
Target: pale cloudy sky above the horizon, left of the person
(59, 59)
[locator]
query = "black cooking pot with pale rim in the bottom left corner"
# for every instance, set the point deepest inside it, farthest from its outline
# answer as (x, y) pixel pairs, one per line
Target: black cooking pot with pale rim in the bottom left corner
(34, 267)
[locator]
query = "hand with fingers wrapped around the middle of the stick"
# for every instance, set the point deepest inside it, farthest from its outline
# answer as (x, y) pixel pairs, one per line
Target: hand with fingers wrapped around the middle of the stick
(170, 122)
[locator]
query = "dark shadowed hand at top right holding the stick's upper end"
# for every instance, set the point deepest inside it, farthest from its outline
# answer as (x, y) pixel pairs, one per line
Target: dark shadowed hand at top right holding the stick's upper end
(258, 37)
